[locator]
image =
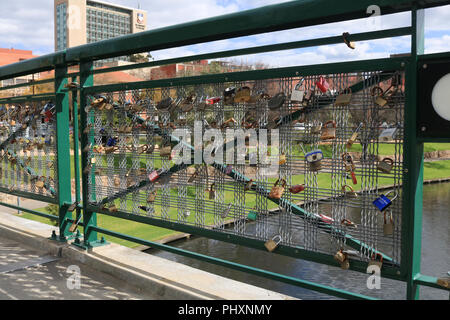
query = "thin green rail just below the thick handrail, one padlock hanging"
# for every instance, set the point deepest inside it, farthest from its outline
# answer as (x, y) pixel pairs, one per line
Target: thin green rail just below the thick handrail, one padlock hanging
(265, 49)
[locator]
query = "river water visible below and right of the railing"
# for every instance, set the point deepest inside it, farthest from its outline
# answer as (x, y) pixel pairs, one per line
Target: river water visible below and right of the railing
(435, 259)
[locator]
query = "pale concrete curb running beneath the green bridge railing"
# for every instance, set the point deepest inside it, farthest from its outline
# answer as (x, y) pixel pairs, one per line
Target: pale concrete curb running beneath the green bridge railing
(167, 279)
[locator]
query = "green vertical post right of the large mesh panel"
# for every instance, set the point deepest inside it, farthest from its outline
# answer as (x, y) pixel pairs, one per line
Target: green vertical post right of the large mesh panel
(414, 158)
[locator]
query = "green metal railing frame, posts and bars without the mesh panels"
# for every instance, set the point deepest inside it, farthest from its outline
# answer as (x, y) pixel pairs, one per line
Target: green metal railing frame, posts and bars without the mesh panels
(252, 22)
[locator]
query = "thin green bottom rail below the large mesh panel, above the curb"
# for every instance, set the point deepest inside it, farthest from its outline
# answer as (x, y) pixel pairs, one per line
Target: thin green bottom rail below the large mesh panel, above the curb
(236, 266)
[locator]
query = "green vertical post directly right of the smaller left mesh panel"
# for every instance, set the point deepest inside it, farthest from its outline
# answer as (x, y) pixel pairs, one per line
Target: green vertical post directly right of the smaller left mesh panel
(63, 150)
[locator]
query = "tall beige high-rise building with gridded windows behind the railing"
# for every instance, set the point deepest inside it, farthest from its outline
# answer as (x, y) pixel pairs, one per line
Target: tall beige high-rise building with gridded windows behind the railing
(78, 22)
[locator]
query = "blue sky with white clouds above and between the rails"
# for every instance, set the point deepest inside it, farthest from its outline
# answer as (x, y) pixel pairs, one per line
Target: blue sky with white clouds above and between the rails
(28, 24)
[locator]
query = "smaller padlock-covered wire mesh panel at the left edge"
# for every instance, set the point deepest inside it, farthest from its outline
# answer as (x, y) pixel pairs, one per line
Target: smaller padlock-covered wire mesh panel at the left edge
(28, 148)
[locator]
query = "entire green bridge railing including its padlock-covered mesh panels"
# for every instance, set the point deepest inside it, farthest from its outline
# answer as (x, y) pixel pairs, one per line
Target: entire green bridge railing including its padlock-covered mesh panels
(125, 137)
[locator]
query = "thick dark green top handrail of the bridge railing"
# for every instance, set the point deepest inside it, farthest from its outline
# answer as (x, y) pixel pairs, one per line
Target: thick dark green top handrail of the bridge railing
(250, 22)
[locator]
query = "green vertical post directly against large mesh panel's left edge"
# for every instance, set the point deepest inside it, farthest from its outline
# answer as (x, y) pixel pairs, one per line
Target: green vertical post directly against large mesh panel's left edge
(89, 218)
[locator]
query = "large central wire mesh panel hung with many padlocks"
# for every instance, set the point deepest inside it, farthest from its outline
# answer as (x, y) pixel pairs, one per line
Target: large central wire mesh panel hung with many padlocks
(335, 182)
